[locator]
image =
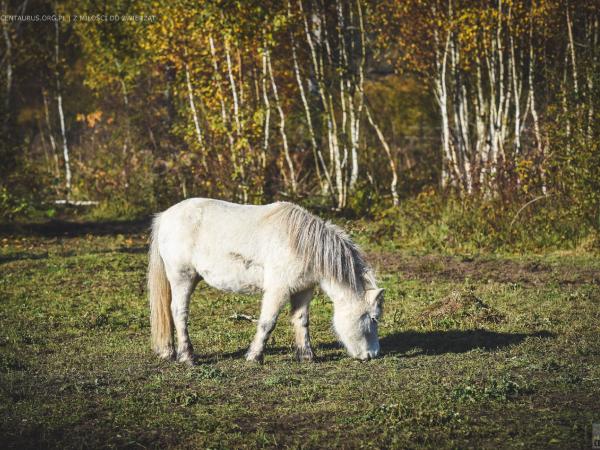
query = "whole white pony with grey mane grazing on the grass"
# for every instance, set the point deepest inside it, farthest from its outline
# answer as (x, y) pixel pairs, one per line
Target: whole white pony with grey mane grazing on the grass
(279, 249)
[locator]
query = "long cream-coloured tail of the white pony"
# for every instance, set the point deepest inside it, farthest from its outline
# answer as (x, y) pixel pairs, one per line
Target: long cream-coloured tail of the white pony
(159, 294)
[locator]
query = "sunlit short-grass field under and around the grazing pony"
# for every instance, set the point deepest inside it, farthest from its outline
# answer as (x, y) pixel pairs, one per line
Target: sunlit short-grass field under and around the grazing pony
(477, 351)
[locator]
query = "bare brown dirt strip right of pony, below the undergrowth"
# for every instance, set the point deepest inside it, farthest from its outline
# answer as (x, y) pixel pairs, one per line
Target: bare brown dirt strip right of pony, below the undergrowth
(435, 267)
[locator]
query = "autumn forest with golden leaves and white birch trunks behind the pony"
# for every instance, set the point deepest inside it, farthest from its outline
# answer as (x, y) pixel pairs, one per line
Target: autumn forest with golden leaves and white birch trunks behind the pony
(455, 124)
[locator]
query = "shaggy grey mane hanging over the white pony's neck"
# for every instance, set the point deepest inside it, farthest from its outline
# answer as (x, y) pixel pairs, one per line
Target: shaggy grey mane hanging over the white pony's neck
(322, 246)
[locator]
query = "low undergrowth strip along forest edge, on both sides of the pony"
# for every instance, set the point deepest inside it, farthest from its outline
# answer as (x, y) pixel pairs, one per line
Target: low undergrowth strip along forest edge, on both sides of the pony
(429, 222)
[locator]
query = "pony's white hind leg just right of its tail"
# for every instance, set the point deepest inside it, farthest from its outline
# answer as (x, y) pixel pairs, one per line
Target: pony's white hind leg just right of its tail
(183, 283)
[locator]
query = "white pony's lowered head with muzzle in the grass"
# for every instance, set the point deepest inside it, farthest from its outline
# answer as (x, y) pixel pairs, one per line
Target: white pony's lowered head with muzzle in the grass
(356, 324)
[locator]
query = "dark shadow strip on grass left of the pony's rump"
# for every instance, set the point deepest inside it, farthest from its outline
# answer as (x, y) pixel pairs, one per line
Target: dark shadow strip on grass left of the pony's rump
(61, 228)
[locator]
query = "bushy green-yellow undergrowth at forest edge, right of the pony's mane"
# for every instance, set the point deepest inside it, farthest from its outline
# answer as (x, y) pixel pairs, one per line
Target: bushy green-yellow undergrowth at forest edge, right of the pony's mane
(436, 223)
